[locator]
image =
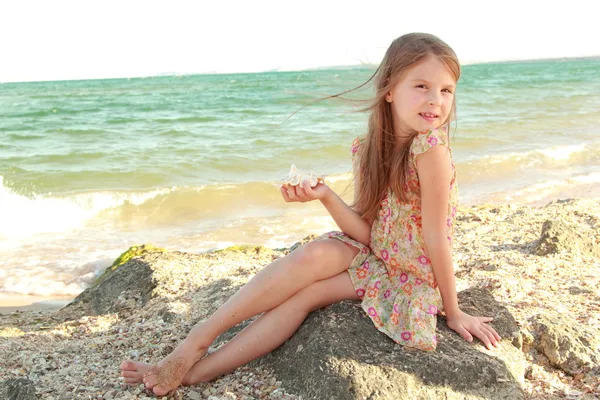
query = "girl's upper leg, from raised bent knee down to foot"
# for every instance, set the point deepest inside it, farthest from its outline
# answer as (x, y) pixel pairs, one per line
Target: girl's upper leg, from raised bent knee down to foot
(270, 287)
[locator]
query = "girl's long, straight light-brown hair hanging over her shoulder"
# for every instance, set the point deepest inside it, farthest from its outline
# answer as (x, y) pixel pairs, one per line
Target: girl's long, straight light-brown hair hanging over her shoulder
(381, 164)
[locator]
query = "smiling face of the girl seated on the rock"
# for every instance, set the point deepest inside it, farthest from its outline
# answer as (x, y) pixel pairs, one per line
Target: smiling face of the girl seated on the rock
(423, 97)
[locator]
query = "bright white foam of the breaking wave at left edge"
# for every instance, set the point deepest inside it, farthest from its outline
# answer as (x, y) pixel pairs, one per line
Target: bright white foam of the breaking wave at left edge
(24, 216)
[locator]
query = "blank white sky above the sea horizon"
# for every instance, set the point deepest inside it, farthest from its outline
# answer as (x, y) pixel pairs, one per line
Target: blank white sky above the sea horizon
(68, 40)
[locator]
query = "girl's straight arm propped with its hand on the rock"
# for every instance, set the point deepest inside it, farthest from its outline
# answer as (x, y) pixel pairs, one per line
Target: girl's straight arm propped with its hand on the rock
(434, 168)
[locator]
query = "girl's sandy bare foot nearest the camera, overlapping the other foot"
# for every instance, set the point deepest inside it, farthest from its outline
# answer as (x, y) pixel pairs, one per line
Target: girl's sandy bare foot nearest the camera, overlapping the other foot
(169, 373)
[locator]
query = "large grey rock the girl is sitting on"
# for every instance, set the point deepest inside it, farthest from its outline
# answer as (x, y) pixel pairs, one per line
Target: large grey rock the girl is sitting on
(338, 354)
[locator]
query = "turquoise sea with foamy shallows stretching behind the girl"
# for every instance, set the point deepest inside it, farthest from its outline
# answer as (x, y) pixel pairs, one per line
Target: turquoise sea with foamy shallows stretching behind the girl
(88, 168)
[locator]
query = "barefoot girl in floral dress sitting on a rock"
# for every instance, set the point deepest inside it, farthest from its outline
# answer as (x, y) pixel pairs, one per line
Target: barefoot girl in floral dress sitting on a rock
(394, 252)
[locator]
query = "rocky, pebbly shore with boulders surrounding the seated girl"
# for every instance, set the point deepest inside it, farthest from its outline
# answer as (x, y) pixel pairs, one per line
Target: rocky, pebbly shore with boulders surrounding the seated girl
(536, 270)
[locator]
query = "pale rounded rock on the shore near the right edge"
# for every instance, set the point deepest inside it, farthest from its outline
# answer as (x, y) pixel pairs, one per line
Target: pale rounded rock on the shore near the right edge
(558, 236)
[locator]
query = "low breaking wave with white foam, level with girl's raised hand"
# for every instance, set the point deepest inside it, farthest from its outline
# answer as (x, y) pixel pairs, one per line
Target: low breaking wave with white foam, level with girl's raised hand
(25, 216)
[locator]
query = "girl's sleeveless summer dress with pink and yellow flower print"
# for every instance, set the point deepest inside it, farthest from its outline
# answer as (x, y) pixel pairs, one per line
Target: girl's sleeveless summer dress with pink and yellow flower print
(393, 277)
